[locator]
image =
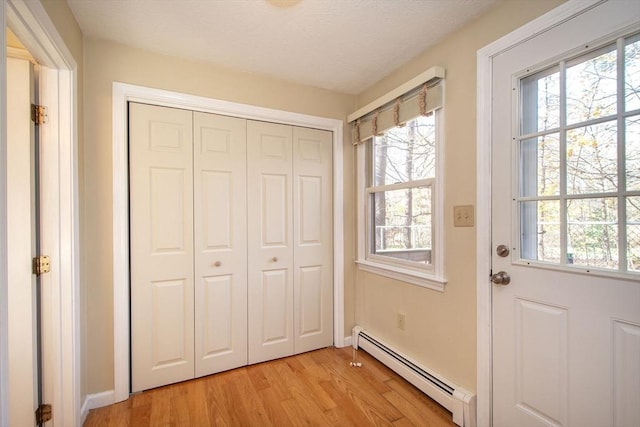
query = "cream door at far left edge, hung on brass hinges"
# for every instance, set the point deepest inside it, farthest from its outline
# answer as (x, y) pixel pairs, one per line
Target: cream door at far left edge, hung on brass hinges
(22, 307)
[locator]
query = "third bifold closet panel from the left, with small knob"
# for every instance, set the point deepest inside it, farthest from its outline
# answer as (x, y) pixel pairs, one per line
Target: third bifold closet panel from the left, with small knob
(270, 231)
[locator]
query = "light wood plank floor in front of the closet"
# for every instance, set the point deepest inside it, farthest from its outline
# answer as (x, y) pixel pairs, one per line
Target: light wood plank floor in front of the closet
(318, 388)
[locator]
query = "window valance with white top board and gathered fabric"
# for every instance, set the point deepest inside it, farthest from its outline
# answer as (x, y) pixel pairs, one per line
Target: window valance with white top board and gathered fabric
(421, 95)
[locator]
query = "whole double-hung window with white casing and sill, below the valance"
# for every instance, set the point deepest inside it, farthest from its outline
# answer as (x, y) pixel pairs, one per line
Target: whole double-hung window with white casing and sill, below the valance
(400, 202)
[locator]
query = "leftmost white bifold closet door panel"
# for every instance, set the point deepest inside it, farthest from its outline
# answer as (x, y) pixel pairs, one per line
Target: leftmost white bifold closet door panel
(161, 194)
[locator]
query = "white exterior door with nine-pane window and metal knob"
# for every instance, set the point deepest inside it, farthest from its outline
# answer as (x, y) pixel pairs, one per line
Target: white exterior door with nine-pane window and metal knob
(566, 224)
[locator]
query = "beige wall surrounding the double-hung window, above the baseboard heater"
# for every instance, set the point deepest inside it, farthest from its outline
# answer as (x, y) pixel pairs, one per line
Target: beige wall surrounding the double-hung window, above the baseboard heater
(441, 327)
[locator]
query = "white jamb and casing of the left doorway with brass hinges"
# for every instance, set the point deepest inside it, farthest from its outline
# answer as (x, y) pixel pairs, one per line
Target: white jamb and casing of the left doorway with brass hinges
(58, 76)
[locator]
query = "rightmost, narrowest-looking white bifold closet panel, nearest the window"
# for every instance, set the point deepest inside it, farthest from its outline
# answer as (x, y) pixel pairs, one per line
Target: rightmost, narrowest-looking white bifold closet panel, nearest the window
(312, 239)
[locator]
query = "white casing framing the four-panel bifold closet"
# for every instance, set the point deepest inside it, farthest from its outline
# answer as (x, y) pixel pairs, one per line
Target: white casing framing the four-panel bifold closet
(125, 93)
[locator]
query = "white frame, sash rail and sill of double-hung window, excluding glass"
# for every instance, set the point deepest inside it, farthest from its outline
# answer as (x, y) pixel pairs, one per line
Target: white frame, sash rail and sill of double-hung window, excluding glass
(431, 277)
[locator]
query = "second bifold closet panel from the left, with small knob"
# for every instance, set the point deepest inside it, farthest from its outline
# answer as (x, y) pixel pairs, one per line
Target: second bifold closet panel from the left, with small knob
(220, 202)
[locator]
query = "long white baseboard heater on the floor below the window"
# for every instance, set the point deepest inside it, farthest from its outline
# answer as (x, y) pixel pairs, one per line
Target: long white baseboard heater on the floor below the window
(461, 403)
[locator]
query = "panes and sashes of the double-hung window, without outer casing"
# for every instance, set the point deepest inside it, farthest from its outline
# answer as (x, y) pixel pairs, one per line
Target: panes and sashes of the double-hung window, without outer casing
(401, 174)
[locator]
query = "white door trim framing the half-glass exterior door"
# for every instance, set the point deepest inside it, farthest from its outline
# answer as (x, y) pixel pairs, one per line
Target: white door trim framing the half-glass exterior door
(485, 58)
